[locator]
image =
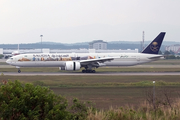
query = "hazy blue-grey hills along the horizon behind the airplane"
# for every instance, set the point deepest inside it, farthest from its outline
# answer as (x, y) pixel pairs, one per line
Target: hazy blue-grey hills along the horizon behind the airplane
(111, 45)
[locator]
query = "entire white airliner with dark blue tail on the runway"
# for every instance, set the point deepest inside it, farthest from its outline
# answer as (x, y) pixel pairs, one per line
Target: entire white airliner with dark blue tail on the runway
(75, 61)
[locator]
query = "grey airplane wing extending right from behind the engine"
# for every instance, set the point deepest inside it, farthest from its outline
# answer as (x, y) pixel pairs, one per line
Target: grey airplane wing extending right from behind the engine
(95, 62)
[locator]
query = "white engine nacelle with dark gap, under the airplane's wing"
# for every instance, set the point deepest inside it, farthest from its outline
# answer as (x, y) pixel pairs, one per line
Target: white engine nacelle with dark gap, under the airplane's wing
(71, 65)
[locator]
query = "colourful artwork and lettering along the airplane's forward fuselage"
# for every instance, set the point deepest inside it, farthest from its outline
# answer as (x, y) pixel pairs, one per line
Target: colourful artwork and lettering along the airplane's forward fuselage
(52, 57)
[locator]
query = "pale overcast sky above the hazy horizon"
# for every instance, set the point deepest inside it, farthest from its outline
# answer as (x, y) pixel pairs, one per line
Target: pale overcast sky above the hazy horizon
(71, 21)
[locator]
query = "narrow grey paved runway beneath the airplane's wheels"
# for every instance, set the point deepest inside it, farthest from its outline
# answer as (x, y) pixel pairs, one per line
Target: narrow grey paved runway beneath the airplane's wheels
(93, 74)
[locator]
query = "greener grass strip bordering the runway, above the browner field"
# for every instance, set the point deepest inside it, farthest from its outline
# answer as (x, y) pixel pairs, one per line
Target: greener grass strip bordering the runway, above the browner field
(96, 81)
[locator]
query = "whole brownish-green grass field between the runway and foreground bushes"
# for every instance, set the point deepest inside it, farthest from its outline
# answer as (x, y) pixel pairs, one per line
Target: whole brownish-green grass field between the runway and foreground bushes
(105, 91)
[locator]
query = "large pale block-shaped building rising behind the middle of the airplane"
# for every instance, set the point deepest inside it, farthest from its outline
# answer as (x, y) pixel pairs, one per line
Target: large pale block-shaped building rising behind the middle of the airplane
(98, 45)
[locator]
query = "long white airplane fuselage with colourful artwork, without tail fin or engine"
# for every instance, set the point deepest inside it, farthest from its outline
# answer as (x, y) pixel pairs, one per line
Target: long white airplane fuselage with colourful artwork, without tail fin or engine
(59, 60)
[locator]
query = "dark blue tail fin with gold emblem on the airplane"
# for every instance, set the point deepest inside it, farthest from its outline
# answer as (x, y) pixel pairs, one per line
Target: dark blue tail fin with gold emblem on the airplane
(154, 46)
